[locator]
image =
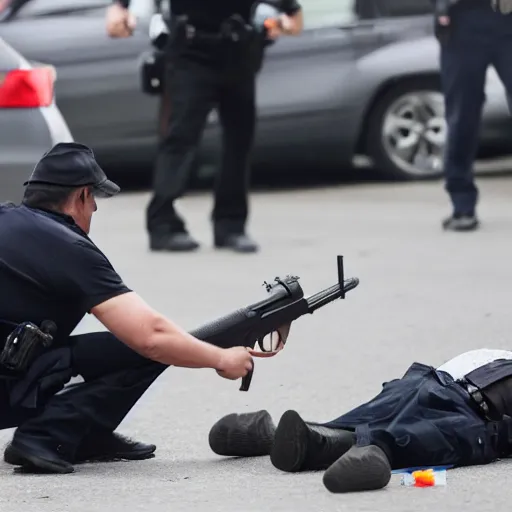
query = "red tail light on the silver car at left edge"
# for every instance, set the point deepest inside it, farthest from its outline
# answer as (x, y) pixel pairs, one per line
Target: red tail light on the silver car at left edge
(27, 88)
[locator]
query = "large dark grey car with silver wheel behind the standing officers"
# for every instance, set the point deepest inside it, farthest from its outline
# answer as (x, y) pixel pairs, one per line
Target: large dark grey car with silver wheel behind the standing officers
(363, 78)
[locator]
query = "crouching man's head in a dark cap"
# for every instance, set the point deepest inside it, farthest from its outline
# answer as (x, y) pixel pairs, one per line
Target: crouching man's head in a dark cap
(67, 180)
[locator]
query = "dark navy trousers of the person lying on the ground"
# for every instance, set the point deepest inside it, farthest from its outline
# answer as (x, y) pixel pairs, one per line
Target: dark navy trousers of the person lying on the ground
(425, 418)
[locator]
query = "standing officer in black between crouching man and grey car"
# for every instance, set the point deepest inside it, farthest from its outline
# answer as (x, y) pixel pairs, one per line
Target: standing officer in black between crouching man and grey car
(213, 57)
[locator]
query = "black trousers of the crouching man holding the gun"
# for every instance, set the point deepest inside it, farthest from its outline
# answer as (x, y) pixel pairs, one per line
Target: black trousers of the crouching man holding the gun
(115, 377)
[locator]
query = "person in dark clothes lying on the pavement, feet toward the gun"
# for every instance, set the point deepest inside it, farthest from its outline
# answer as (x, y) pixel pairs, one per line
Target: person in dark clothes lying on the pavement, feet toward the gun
(457, 414)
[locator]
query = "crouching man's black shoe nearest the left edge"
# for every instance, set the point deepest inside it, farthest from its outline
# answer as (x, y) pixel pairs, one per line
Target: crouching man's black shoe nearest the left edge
(34, 456)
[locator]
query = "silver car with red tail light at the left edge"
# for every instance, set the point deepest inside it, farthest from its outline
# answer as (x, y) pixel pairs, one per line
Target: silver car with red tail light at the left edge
(30, 122)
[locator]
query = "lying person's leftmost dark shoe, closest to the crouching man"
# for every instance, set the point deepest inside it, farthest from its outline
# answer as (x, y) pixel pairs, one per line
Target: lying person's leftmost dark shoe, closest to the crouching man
(243, 435)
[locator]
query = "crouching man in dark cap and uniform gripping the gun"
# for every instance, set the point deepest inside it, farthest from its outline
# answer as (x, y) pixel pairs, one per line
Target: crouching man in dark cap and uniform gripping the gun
(52, 274)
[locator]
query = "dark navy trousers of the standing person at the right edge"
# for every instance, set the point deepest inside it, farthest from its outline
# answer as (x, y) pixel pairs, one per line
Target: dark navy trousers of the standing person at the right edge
(479, 37)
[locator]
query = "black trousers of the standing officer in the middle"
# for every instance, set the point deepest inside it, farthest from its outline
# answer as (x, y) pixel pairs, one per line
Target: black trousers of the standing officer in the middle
(197, 81)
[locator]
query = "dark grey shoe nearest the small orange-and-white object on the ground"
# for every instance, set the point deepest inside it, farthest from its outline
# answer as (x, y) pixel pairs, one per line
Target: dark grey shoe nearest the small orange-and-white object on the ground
(365, 468)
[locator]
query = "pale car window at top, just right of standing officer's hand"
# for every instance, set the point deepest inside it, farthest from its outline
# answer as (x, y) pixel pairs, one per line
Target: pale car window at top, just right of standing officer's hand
(319, 13)
